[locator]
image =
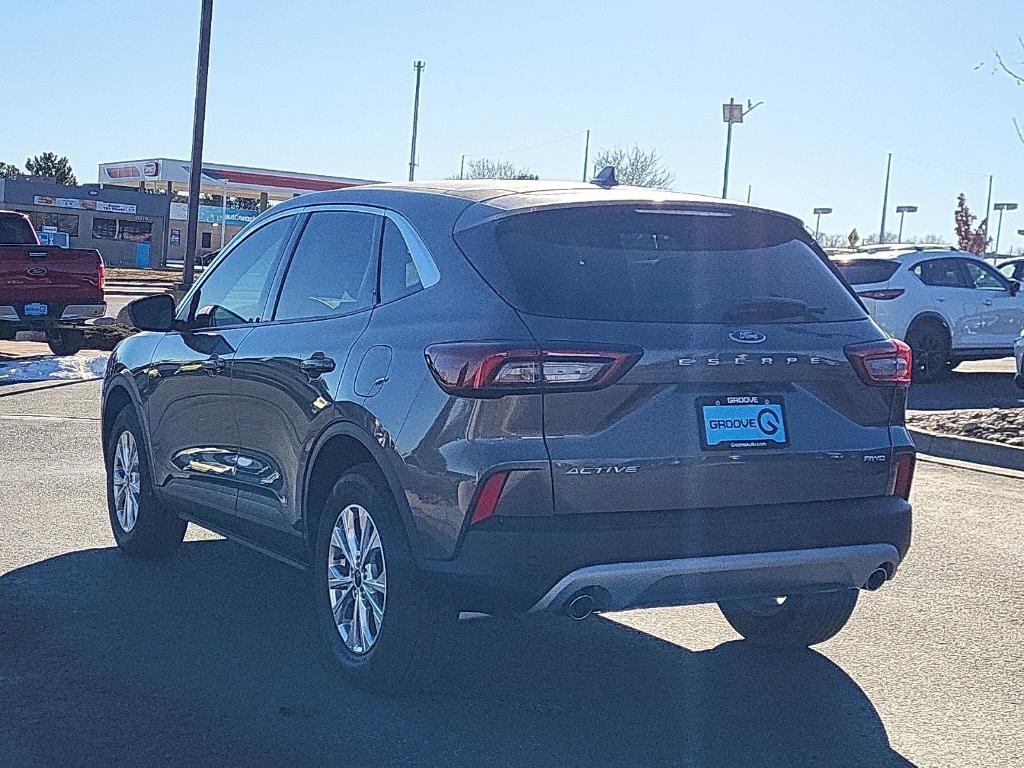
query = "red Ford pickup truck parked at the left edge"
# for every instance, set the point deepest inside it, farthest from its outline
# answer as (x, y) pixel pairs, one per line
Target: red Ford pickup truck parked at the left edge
(46, 288)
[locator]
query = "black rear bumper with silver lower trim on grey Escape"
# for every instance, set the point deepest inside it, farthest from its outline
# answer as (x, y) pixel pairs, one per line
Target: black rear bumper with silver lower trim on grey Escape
(513, 565)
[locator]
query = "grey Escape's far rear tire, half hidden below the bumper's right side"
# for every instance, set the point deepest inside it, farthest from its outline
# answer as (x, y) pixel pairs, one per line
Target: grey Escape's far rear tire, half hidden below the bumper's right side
(799, 621)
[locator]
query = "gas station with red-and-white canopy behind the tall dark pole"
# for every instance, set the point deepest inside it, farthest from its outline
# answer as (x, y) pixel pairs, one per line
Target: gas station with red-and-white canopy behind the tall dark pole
(232, 196)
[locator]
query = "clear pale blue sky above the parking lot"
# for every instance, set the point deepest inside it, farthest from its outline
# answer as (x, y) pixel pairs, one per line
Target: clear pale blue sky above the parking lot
(326, 88)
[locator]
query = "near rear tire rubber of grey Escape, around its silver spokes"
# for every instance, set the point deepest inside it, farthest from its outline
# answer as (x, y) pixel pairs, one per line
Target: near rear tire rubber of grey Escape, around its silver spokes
(410, 641)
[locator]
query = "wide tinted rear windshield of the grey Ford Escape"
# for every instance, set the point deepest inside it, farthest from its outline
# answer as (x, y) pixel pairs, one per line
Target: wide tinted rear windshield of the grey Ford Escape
(629, 264)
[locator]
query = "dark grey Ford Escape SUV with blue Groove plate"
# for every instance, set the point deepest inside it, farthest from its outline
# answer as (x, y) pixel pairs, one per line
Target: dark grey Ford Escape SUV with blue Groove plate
(511, 398)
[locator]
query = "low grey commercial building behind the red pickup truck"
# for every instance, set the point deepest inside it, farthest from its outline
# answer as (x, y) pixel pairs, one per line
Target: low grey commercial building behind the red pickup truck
(127, 227)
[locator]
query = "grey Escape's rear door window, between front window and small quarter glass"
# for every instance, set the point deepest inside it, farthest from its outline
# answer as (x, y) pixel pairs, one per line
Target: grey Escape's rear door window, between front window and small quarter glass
(333, 272)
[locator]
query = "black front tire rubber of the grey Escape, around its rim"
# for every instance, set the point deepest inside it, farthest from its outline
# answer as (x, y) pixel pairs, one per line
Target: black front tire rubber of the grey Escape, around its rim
(155, 532)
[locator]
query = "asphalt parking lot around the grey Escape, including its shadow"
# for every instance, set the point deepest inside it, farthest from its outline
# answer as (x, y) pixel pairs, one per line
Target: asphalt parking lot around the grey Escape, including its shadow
(210, 659)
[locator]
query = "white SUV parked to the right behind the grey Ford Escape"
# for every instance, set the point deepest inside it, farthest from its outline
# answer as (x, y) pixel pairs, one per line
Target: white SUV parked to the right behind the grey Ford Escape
(949, 306)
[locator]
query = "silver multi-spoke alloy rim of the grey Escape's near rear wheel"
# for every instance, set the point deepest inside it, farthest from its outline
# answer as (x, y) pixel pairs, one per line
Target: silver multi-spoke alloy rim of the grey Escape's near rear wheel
(357, 579)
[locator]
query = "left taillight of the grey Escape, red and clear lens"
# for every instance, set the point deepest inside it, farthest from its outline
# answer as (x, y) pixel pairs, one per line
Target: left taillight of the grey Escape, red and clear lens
(496, 369)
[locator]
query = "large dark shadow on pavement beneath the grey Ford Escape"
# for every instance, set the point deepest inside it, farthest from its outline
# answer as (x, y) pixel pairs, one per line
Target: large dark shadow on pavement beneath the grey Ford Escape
(211, 659)
